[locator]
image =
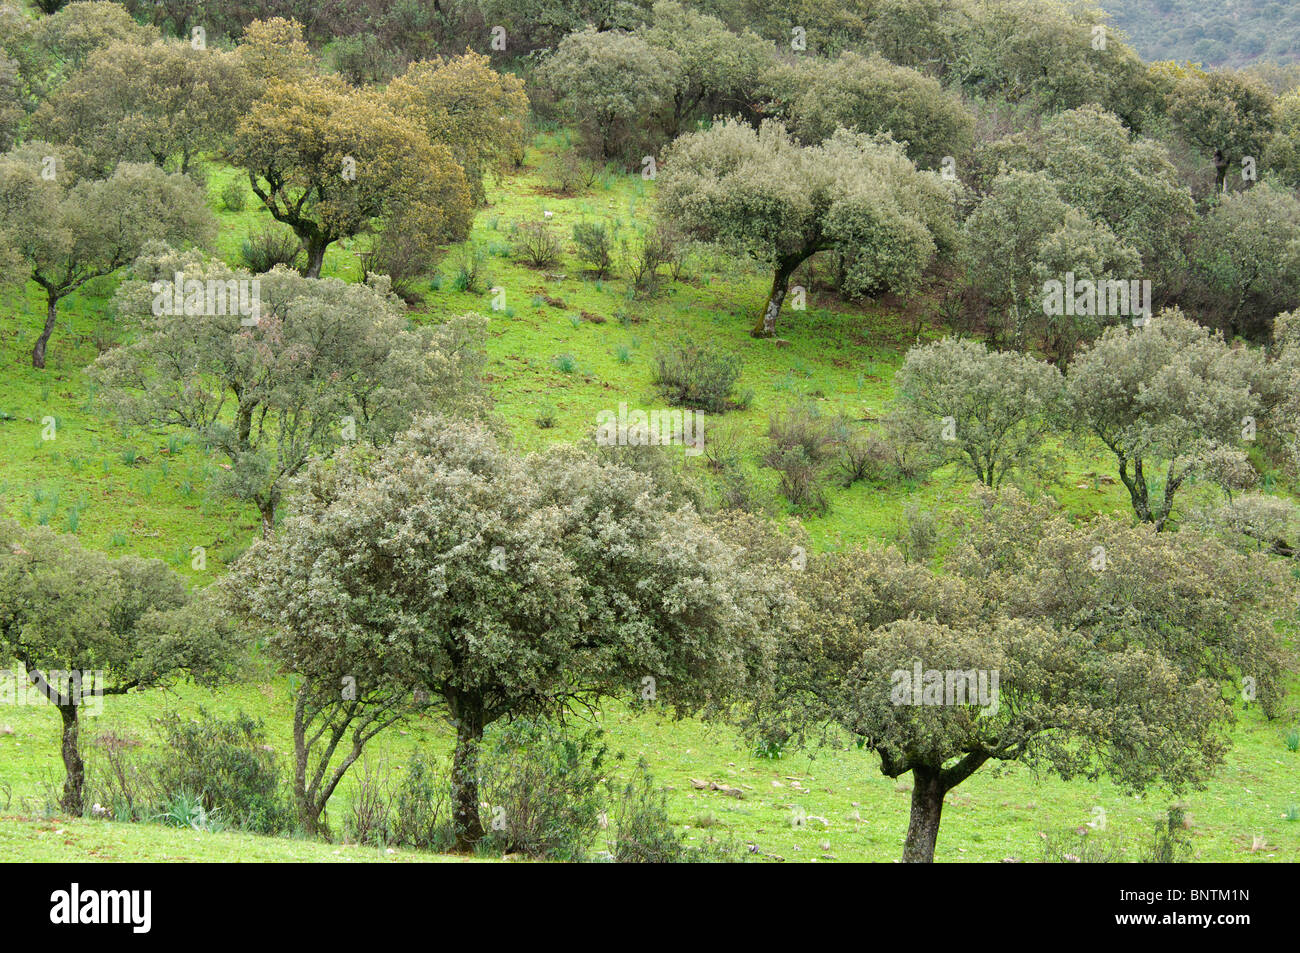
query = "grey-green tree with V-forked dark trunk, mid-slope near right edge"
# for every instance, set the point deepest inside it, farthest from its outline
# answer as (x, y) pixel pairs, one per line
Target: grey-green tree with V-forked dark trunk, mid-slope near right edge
(1160, 397)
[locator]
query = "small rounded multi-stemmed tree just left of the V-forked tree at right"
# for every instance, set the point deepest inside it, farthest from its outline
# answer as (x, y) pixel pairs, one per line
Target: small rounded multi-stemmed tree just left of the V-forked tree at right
(1002, 405)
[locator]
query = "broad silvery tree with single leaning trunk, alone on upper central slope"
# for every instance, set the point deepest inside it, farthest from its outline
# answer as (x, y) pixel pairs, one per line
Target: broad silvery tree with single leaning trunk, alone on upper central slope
(762, 194)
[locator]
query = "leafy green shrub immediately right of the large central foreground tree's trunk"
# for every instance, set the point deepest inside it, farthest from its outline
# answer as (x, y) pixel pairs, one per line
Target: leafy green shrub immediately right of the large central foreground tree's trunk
(545, 790)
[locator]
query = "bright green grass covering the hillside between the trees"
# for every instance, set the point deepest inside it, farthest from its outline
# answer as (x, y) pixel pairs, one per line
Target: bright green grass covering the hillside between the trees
(843, 357)
